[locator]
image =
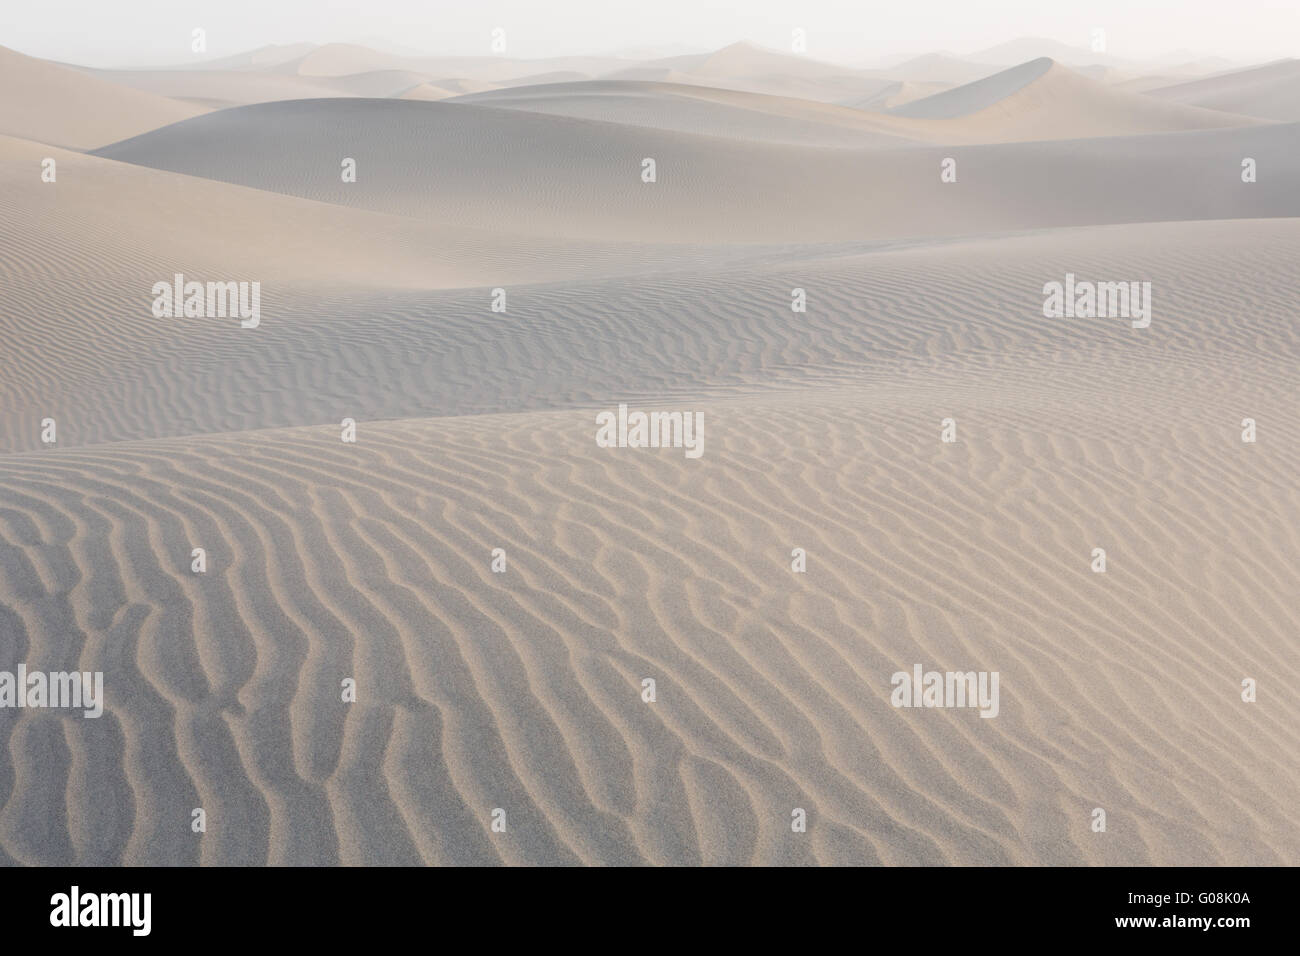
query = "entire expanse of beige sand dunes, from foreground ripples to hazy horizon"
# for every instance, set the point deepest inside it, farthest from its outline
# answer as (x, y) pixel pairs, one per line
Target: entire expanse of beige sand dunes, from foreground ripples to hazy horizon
(476, 431)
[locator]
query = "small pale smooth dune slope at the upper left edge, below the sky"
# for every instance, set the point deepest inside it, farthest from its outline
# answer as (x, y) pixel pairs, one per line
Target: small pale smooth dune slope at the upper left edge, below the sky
(64, 107)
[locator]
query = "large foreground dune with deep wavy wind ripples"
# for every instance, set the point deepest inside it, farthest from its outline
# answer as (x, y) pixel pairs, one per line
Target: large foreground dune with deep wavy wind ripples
(522, 691)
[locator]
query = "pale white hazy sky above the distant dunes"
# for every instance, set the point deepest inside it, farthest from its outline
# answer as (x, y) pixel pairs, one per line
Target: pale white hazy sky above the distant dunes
(158, 32)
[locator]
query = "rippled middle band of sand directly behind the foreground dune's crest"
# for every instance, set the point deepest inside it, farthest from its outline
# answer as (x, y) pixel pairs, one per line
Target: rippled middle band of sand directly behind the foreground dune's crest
(573, 341)
